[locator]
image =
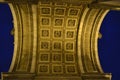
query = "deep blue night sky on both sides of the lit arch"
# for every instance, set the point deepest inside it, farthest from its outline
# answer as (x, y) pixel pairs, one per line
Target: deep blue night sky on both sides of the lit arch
(109, 45)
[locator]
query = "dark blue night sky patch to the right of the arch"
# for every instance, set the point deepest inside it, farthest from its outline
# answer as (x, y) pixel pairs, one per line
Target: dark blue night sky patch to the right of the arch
(109, 45)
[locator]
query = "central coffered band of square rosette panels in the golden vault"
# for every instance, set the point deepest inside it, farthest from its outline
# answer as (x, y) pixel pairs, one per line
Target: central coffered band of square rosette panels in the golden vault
(57, 30)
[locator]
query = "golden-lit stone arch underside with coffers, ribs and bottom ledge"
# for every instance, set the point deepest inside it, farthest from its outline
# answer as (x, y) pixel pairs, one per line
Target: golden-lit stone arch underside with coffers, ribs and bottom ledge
(56, 41)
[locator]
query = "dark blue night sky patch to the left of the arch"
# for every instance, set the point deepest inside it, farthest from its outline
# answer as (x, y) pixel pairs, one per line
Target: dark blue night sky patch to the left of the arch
(6, 40)
